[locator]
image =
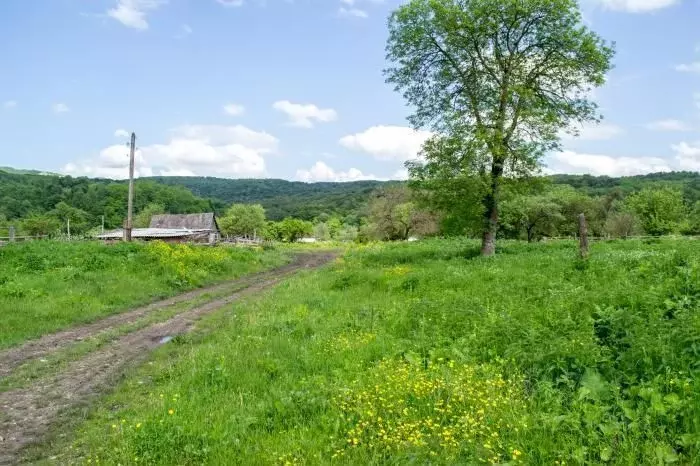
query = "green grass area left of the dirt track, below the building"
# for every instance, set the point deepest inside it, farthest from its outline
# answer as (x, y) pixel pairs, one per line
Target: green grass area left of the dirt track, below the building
(46, 286)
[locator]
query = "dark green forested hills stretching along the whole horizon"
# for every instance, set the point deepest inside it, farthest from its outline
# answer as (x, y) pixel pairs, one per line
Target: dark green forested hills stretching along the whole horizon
(23, 192)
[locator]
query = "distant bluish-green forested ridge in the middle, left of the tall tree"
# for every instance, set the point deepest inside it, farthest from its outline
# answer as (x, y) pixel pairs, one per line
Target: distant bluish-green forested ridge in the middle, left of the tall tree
(283, 198)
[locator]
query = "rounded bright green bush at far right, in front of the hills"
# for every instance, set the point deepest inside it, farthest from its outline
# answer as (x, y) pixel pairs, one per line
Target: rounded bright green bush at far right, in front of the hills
(660, 210)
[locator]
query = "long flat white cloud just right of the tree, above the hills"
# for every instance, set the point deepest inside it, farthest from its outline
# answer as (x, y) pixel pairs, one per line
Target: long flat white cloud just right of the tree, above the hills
(577, 163)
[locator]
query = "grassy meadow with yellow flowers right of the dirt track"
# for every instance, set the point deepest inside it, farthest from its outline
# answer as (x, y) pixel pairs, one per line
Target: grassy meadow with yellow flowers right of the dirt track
(425, 353)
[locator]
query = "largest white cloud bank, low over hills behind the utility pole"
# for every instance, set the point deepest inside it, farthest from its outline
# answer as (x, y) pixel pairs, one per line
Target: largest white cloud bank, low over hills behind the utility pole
(229, 151)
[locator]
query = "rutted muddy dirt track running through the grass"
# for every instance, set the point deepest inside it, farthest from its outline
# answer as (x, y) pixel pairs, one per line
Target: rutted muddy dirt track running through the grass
(27, 413)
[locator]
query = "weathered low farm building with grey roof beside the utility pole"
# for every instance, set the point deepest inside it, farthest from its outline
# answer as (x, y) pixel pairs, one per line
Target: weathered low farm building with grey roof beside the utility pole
(173, 228)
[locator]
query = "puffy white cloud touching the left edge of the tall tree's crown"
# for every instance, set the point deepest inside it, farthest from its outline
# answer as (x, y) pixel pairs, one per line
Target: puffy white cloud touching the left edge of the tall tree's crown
(388, 142)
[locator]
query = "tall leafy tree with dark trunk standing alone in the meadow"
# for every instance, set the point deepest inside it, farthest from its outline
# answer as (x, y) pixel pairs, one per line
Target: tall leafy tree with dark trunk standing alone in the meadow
(499, 79)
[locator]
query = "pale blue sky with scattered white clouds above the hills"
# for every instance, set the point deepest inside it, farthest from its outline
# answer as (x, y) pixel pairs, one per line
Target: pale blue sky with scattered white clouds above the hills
(294, 89)
